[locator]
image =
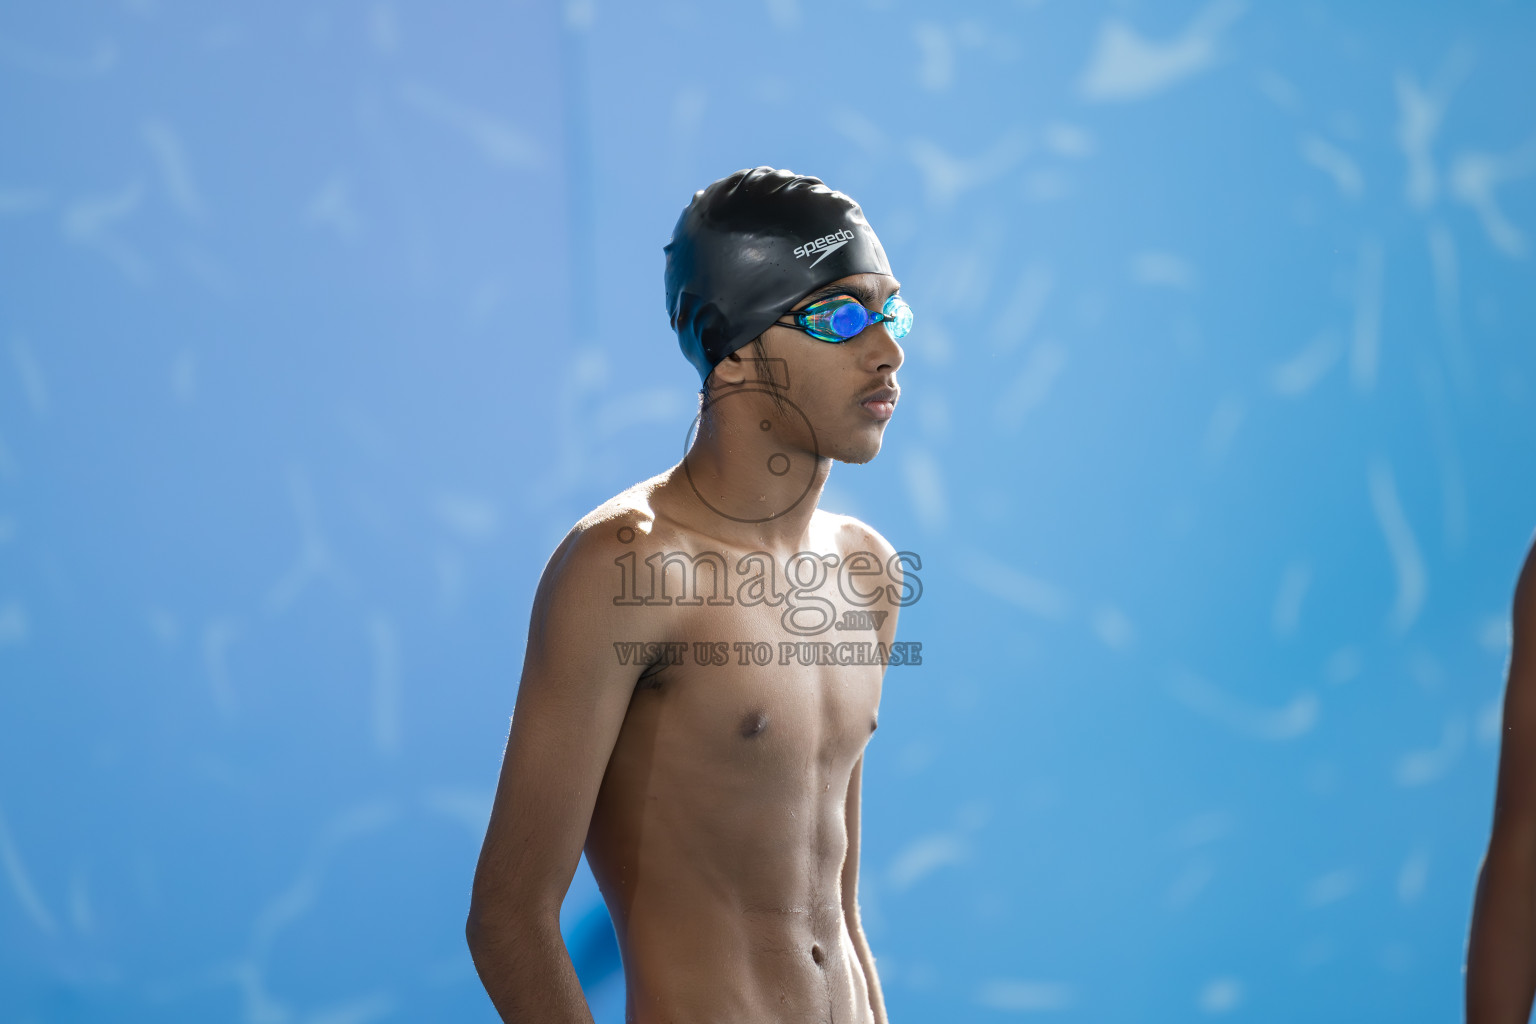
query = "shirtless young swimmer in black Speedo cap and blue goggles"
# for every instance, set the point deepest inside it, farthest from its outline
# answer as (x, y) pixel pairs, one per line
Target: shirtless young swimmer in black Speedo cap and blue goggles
(718, 802)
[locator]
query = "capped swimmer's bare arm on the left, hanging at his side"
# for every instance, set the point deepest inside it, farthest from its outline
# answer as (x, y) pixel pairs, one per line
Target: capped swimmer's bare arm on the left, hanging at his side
(569, 710)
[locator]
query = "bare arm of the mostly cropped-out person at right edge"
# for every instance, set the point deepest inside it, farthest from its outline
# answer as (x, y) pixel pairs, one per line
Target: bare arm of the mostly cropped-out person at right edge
(1501, 953)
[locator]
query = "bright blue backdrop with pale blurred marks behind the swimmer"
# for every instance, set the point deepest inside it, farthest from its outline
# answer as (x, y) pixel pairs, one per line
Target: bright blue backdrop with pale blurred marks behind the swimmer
(322, 323)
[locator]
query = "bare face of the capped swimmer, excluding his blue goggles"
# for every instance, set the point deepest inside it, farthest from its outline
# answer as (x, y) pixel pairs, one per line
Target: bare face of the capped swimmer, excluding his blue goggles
(847, 391)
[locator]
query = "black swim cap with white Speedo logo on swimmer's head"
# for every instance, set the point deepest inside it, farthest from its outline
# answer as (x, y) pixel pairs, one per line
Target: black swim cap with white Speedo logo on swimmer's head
(752, 246)
